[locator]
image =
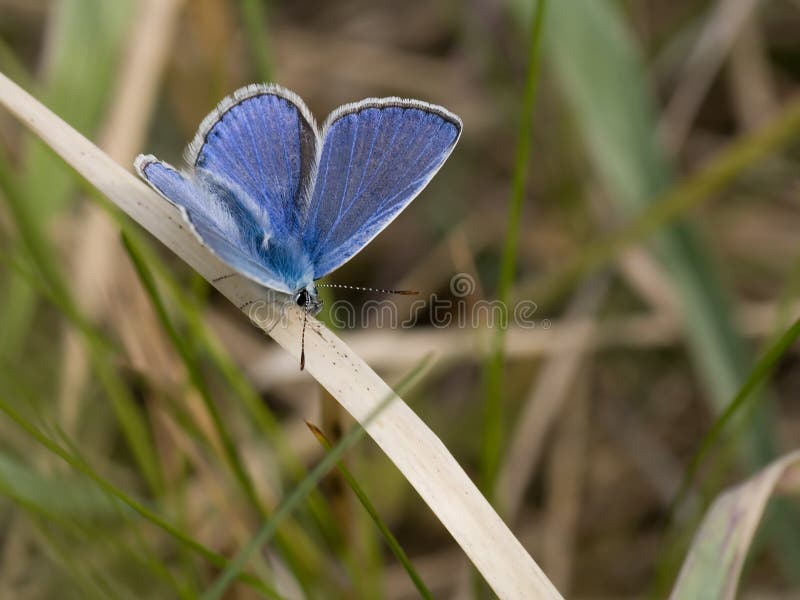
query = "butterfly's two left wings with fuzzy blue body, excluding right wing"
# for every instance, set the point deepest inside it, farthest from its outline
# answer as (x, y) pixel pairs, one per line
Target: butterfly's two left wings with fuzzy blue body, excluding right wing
(252, 161)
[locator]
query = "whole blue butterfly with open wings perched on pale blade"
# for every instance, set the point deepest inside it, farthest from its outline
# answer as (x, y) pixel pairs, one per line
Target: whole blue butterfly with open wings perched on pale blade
(284, 202)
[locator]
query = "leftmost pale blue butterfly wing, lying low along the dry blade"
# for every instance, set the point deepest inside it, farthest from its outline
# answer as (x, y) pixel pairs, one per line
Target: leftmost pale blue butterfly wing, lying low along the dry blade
(217, 217)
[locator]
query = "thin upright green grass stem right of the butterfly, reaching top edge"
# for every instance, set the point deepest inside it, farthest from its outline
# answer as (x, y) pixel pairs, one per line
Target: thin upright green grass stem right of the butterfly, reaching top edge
(493, 371)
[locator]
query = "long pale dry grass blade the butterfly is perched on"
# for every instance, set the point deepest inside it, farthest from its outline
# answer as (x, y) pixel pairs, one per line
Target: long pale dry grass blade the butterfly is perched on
(407, 441)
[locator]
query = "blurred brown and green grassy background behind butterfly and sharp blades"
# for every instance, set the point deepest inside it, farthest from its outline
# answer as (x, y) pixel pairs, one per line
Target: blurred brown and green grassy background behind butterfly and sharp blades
(689, 105)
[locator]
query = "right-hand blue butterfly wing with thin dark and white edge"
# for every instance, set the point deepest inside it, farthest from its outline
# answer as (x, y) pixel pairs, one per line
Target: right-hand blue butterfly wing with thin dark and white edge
(376, 156)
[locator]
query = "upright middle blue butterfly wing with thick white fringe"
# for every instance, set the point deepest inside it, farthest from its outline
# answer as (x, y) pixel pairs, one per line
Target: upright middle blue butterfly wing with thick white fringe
(264, 138)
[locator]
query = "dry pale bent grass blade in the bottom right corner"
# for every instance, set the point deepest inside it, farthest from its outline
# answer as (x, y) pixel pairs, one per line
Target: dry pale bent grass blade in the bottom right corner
(714, 564)
